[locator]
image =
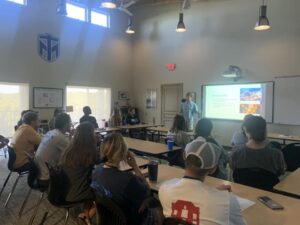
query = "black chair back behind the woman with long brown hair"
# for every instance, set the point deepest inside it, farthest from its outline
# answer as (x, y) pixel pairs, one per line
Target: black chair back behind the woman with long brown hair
(57, 189)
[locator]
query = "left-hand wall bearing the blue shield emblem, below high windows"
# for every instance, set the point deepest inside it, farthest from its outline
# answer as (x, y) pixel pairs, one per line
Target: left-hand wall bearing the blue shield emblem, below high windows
(89, 55)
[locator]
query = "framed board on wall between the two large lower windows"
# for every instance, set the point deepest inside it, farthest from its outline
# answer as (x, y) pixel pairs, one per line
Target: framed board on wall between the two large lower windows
(47, 97)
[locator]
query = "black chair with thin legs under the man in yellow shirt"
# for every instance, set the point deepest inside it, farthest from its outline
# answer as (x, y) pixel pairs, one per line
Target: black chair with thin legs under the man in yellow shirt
(10, 166)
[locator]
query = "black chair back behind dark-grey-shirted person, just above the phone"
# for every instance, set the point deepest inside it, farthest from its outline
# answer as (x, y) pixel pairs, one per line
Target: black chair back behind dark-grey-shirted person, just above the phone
(255, 177)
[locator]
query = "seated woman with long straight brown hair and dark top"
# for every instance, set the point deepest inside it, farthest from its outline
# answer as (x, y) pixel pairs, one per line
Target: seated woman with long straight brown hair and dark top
(78, 161)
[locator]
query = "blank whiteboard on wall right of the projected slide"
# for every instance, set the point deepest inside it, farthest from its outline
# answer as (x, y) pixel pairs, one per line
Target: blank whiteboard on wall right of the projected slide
(287, 100)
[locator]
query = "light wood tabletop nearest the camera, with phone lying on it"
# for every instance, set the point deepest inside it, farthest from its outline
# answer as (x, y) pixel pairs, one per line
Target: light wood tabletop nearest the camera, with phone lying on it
(257, 214)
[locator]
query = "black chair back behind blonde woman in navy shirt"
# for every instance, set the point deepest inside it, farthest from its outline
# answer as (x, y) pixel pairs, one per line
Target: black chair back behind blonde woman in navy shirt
(108, 212)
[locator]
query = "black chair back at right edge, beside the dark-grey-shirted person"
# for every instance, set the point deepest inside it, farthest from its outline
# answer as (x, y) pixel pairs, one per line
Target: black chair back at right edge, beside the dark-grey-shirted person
(291, 155)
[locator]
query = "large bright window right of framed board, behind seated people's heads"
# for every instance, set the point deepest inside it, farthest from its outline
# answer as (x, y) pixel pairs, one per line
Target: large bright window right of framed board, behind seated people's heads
(99, 99)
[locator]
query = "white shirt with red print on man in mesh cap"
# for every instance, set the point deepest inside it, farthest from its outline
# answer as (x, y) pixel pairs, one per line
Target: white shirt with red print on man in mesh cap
(199, 204)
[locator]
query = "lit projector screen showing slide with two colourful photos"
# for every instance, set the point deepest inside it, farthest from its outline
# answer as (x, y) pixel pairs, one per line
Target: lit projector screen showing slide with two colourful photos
(234, 101)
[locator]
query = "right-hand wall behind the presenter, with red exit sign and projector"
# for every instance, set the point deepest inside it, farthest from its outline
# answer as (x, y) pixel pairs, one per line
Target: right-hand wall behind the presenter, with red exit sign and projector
(219, 33)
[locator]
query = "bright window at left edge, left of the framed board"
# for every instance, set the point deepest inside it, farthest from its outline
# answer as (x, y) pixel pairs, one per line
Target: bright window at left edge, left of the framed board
(14, 98)
